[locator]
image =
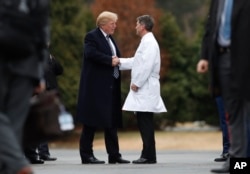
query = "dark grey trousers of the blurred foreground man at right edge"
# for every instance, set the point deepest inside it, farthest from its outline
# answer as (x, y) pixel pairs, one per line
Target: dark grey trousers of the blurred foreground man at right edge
(239, 111)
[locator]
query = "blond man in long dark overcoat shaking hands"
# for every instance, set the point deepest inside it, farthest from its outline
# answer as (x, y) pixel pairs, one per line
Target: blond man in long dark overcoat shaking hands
(99, 99)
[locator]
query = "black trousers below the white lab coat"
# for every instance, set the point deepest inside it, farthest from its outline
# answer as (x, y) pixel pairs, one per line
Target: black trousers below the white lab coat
(146, 127)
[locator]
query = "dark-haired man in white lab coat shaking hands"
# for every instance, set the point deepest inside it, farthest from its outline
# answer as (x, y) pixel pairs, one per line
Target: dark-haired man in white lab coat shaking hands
(144, 96)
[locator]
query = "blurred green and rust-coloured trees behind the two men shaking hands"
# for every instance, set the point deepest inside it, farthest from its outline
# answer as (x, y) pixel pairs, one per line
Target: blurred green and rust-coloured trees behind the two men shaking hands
(178, 29)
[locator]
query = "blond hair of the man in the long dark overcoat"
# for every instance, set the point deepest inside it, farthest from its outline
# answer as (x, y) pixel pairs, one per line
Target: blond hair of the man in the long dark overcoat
(105, 17)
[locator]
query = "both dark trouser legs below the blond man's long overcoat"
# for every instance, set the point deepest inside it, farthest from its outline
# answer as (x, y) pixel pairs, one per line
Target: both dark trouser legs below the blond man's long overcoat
(87, 138)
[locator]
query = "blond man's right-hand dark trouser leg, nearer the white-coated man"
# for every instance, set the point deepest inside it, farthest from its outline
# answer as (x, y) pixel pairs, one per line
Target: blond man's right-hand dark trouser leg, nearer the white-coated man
(111, 142)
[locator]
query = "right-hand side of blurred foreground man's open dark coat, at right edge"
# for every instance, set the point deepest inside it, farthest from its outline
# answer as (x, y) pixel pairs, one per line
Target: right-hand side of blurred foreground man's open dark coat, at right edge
(240, 58)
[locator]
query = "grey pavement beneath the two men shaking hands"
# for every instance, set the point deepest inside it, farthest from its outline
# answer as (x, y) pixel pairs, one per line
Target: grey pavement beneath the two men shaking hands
(169, 162)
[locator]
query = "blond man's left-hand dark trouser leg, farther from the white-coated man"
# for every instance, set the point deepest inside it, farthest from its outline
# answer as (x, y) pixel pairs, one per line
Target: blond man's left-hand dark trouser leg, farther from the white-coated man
(86, 141)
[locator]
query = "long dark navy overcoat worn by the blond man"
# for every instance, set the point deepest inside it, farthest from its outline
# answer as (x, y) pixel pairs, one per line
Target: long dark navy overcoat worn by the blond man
(94, 107)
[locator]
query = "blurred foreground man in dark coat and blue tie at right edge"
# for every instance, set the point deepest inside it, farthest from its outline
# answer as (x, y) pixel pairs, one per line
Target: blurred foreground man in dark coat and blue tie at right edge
(232, 64)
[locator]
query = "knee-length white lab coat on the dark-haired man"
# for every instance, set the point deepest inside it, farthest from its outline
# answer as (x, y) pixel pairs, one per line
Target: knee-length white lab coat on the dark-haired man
(145, 69)
